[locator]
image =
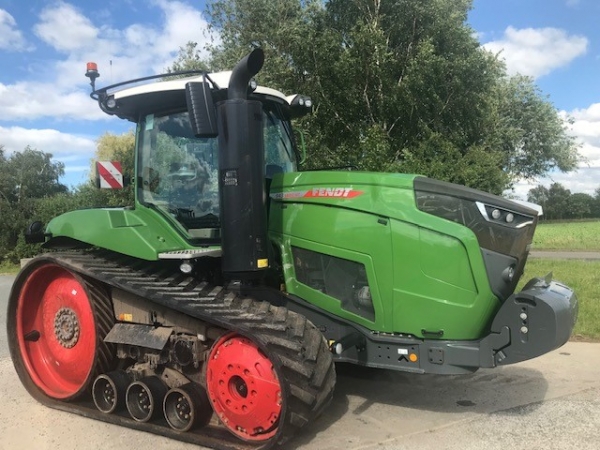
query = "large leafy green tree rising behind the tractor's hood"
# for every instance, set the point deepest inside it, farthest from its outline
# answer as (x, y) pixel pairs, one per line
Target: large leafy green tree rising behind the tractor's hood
(400, 86)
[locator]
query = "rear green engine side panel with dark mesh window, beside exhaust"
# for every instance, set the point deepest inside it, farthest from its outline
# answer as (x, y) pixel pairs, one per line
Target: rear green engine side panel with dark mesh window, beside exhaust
(360, 240)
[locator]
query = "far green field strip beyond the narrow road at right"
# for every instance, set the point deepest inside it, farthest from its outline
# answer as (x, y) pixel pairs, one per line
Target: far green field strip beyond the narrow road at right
(567, 236)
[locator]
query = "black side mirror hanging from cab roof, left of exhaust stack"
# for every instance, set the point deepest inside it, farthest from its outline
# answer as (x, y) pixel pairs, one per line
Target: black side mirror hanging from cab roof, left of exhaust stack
(201, 109)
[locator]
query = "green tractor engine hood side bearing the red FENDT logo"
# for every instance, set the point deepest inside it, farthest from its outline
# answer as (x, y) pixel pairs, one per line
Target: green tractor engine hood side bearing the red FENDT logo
(426, 274)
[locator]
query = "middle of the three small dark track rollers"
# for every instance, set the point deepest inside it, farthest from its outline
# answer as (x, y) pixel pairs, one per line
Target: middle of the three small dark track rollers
(144, 398)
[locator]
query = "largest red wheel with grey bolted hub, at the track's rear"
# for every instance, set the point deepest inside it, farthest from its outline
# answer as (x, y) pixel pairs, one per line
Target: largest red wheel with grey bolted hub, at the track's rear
(56, 332)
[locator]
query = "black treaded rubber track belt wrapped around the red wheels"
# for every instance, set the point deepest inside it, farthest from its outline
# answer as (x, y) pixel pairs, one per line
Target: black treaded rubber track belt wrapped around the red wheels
(297, 349)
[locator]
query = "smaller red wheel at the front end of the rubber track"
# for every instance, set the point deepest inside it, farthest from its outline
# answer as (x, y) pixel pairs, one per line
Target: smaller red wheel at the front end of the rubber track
(243, 388)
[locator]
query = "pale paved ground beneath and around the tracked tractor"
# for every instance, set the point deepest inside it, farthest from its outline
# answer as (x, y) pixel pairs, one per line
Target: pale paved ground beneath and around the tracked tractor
(552, 402)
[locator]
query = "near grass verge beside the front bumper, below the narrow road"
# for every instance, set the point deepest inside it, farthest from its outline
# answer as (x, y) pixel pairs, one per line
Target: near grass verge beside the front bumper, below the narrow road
(581, 276)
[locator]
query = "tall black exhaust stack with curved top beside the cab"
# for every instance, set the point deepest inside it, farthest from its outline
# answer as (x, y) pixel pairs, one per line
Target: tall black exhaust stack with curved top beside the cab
(241, 175)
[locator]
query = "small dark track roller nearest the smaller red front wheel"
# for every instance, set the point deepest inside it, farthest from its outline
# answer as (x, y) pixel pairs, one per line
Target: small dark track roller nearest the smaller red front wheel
(187, 407)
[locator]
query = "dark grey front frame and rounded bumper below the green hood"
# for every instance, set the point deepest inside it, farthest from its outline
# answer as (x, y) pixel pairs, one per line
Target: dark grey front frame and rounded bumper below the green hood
(534, 321)
